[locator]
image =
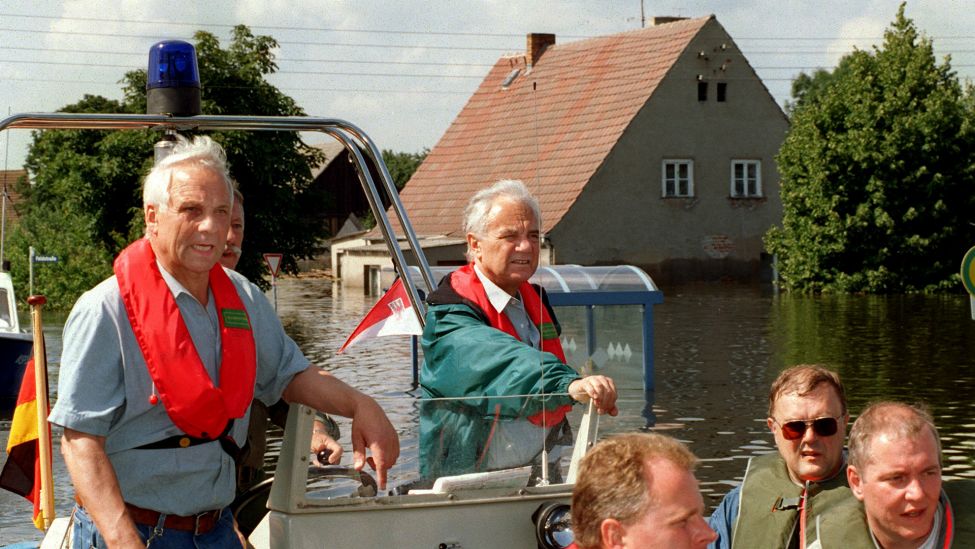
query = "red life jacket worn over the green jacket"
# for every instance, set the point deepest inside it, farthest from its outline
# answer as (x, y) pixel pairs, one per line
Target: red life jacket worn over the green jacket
(466, 283)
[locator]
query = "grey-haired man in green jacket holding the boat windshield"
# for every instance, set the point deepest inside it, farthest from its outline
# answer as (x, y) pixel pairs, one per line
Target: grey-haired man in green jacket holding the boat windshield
(492, 350)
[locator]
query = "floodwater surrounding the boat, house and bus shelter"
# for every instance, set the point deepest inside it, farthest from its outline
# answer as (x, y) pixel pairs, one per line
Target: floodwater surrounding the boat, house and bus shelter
(717, 349)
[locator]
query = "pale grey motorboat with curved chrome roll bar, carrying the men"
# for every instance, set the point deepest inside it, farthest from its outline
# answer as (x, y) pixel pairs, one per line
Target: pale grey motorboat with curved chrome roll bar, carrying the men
(515, 507)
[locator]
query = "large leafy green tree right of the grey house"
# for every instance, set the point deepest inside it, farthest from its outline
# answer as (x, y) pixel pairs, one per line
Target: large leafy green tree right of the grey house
(877, 175)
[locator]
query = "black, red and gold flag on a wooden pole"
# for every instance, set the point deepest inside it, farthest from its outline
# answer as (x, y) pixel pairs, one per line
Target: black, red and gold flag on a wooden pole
(21, 473)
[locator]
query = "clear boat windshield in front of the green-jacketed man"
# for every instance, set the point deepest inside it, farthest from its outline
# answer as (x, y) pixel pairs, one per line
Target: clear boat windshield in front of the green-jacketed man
(472, 444)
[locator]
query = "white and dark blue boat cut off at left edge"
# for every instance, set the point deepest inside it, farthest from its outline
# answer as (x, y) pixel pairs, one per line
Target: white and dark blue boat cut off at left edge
(15, 347)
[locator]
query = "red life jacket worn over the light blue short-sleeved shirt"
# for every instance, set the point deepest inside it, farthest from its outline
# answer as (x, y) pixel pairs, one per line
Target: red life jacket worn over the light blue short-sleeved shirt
(193, 403)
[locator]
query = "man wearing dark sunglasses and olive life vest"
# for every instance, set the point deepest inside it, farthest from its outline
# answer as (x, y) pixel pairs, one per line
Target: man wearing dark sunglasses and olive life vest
(785, 497)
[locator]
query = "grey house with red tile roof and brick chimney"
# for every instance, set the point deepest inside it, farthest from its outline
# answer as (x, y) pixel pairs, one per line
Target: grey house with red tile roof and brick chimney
(653, 147)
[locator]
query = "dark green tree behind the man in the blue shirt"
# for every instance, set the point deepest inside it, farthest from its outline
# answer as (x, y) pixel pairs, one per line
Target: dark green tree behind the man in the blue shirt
(91, 180)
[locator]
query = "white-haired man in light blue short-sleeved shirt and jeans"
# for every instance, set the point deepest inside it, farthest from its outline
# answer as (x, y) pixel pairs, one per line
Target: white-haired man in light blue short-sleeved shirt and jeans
(161, 363)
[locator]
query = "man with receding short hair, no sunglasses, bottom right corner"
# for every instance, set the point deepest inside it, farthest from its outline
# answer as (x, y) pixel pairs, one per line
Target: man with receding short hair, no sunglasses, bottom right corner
(895, 470)
